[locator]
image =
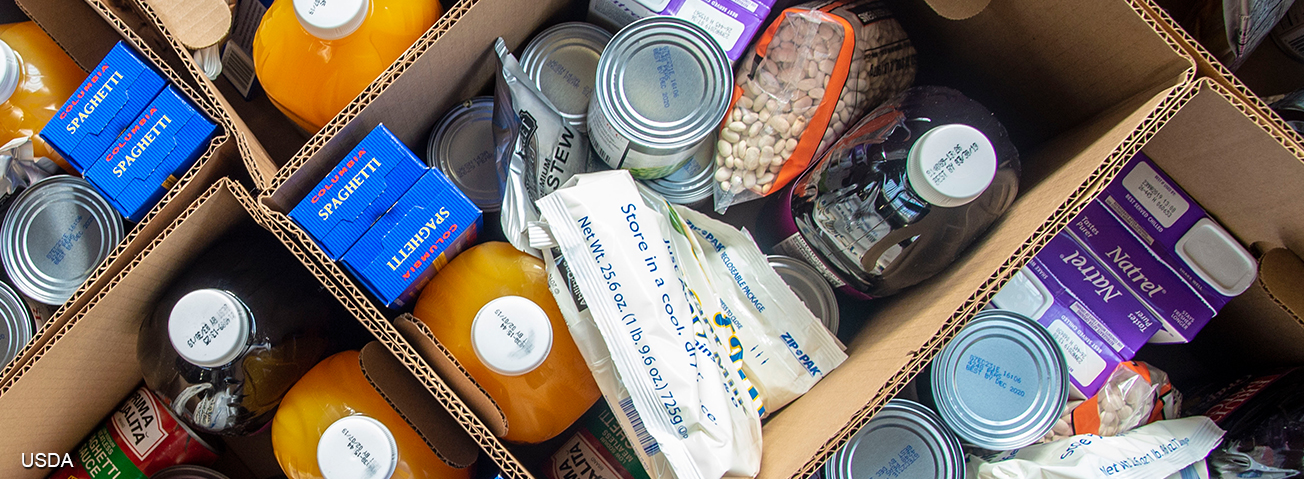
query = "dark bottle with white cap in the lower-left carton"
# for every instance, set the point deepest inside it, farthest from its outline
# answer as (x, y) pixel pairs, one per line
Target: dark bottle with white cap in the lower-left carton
(234, 333)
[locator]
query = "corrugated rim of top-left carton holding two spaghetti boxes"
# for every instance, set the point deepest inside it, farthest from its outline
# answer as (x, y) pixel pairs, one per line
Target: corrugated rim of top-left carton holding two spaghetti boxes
(134, 242)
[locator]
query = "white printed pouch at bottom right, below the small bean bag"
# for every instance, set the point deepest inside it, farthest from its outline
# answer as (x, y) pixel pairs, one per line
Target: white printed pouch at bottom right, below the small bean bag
(1155, 451)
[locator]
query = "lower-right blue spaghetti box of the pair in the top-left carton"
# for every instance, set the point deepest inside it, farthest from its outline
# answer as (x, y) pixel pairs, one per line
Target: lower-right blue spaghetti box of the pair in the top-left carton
(155, 151)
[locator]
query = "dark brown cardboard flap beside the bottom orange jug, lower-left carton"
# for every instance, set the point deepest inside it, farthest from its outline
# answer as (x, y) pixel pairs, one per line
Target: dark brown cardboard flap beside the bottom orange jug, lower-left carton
(414, 404)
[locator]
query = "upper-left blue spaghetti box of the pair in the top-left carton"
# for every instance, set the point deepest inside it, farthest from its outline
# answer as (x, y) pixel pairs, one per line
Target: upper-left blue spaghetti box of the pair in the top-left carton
(108, 101)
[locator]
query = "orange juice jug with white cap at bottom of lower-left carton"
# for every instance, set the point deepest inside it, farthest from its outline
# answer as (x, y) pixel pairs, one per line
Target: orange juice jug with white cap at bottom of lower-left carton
(334, 425)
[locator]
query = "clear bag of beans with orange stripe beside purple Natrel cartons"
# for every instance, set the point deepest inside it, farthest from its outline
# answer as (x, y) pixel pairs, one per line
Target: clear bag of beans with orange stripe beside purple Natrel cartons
(1134, 396)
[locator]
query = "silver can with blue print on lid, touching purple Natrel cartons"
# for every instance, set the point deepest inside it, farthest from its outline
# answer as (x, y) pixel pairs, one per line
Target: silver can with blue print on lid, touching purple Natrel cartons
(1001, 384)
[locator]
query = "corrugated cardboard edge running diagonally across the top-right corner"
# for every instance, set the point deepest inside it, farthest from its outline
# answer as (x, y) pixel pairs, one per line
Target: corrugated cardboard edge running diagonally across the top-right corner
(1212, 69)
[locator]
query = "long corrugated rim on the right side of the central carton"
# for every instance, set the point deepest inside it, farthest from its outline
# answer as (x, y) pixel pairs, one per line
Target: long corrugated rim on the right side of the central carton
(1165, 110)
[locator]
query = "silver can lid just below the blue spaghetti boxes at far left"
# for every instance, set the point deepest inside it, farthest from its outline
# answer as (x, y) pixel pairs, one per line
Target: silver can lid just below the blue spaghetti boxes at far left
(57, 233)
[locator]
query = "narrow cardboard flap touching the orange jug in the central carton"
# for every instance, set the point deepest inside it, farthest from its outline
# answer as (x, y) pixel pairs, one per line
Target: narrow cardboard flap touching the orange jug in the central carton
(423, 340)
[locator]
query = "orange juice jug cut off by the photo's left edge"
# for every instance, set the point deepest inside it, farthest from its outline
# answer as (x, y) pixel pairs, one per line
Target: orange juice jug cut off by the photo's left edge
(36, 79)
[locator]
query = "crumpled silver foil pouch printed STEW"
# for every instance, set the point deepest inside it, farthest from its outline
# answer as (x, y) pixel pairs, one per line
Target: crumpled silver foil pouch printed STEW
(535, 148)
